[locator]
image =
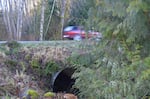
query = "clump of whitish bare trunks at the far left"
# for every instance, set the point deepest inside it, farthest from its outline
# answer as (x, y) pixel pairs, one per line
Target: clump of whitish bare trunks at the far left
(10, 8)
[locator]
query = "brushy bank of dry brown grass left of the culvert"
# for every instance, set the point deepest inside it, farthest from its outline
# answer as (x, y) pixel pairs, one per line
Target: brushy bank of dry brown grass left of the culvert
(25, 68)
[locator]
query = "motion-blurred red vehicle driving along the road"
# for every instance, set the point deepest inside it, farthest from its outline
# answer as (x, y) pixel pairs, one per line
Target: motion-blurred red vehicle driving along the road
(78, 33)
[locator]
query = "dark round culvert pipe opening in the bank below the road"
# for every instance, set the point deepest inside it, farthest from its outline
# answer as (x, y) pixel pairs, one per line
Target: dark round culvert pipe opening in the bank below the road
(62, 81)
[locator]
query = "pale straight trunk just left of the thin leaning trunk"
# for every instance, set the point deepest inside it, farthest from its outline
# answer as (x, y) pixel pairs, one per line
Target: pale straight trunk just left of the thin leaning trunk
(42, 20)
